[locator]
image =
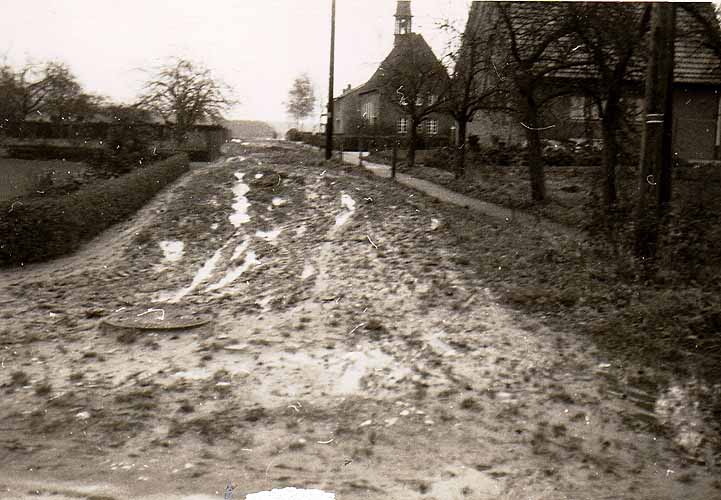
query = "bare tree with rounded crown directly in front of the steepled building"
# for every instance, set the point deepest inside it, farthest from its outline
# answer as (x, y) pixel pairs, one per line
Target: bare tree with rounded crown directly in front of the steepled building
(416, 83)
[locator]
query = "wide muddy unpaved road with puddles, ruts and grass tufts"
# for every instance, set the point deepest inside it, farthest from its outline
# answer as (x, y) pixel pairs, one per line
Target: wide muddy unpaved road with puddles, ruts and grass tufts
(272, 320)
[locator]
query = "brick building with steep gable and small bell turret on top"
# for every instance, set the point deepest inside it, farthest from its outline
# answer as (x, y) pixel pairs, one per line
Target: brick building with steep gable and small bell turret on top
(367, 108)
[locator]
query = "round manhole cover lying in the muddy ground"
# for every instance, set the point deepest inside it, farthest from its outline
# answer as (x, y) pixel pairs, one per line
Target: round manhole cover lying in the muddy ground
(157, 318)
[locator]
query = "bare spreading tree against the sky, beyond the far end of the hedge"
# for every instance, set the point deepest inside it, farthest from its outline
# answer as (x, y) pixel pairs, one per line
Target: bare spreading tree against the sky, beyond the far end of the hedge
(185, 93)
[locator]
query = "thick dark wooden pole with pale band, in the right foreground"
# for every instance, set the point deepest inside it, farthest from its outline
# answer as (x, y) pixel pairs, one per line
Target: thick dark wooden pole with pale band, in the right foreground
(656, 148)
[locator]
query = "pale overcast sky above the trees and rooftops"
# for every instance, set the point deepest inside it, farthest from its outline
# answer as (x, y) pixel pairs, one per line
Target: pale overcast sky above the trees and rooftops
(256, 46)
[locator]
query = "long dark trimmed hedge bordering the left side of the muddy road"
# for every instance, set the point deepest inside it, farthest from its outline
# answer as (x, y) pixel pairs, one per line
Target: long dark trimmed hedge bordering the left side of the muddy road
(37, 229)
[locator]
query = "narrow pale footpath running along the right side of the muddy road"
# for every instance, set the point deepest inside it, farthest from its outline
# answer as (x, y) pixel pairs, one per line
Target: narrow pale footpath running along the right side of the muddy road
(446, 195)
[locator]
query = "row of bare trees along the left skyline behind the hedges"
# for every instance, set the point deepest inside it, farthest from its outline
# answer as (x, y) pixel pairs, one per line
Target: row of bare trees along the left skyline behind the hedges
(180, 93)
